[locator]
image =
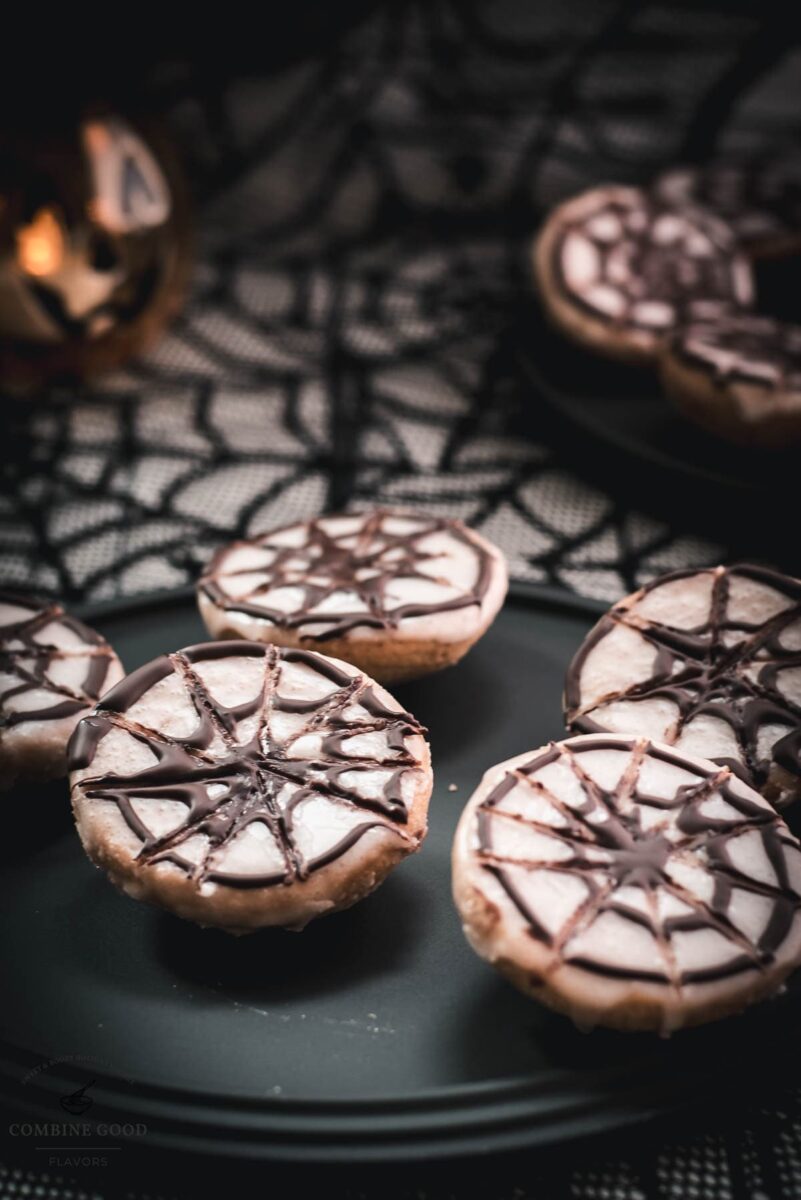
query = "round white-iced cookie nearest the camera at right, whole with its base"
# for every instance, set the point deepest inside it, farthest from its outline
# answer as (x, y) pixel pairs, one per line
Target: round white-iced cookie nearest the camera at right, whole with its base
(629, 886)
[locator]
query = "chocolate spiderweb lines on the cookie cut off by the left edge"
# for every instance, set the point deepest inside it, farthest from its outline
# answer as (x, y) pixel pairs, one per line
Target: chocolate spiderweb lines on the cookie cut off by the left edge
(27, 663)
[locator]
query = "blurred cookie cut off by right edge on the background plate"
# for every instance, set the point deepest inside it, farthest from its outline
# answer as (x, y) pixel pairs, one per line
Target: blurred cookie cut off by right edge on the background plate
(738, 377)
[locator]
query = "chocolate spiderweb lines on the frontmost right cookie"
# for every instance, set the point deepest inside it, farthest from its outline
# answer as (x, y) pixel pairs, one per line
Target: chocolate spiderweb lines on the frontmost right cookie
(616, 841)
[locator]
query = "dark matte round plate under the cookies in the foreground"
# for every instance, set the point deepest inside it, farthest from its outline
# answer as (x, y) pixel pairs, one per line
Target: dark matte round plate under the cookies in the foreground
(377, 1034)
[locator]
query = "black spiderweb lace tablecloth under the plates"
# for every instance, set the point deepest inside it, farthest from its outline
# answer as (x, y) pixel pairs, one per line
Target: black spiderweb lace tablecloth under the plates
(364, 215)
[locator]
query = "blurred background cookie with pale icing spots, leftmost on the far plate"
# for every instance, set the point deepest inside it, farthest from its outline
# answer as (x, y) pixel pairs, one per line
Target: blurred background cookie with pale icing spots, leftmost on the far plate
(617, 271)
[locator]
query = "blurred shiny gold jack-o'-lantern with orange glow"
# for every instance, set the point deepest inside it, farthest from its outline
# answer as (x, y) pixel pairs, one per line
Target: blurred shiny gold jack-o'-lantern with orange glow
(94, 248)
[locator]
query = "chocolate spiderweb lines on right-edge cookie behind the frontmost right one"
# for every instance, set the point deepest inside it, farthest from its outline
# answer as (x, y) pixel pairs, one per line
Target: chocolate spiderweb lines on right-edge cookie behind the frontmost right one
(728, 670)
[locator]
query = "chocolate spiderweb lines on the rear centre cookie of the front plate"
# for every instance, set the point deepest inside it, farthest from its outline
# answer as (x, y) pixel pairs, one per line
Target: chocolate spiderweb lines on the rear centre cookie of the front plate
(364, 559)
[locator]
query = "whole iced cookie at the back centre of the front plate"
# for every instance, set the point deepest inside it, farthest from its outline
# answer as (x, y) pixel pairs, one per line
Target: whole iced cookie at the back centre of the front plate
(398, 593)
